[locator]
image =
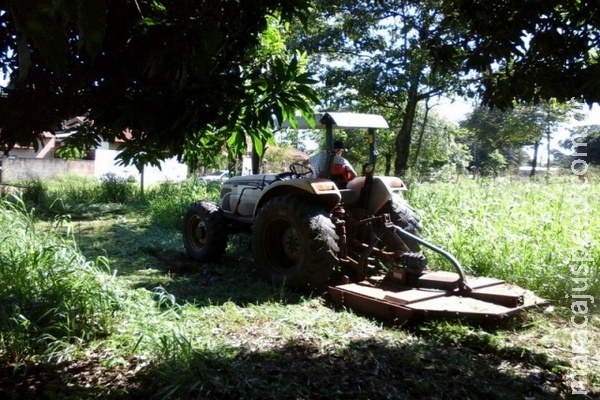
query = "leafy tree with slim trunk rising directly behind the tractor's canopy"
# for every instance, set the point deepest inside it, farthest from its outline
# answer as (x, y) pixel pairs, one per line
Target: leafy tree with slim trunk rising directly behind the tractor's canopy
(381, 57)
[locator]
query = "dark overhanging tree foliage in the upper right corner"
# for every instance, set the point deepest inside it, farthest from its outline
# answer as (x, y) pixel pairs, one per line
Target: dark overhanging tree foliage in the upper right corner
(528, 50)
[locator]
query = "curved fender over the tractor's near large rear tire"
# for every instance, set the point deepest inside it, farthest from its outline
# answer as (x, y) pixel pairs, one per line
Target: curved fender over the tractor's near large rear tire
(319, 191)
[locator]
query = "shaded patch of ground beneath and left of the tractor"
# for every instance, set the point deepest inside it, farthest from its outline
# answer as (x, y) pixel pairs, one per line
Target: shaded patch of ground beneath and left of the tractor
(152, 256)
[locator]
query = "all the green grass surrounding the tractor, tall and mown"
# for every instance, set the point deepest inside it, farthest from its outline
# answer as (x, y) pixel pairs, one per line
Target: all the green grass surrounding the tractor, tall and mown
(143, 321)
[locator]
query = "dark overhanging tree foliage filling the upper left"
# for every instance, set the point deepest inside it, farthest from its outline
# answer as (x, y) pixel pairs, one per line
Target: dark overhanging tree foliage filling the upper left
(174, 72)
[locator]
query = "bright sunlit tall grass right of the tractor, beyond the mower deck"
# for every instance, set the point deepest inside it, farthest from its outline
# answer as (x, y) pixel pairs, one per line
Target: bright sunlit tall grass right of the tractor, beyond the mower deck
(527, 232)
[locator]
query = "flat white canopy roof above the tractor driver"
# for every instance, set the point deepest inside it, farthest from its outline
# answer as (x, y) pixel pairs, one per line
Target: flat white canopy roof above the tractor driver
(341, 120)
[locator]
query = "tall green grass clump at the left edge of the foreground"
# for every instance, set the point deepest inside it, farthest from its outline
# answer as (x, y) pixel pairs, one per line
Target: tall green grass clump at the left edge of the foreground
(49, 295)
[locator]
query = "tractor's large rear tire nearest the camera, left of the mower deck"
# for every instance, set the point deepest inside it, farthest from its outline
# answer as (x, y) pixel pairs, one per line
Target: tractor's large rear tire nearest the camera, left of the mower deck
(294, 243)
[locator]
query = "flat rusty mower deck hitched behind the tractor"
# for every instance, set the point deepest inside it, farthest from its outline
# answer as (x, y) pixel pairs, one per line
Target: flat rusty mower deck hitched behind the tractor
(436, 294)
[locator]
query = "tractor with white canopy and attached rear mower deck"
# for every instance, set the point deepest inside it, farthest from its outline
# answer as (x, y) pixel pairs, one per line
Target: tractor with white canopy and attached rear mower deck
(360, 240)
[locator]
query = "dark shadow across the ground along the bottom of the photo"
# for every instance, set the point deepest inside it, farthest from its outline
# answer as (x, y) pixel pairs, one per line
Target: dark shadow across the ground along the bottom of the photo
(363, 369)
